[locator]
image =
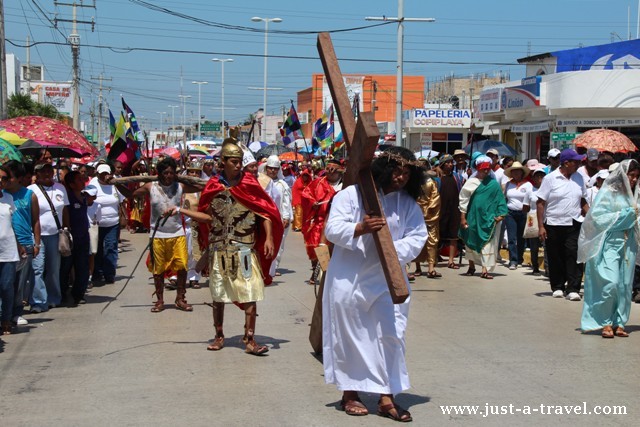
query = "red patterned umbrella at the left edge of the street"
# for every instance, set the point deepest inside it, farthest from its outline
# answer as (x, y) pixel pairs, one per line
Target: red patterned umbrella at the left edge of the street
(49, 132)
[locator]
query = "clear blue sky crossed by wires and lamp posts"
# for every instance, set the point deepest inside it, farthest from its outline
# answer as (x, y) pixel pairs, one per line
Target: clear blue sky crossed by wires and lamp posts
(468, 37)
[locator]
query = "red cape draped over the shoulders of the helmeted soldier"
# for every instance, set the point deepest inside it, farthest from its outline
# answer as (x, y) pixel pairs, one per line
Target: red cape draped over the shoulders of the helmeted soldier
(249, 193)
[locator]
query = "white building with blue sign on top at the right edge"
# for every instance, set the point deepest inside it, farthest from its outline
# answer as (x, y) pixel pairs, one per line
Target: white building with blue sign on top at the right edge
(569, 92)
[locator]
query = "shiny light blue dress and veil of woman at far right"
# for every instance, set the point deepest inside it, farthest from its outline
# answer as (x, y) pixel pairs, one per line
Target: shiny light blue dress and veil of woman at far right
(609, 274)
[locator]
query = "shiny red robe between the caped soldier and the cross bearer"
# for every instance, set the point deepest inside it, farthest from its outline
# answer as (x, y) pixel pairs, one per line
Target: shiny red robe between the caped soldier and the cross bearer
(314, 216)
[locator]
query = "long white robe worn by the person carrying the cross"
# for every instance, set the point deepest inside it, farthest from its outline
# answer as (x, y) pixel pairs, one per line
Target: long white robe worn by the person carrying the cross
(363, 331)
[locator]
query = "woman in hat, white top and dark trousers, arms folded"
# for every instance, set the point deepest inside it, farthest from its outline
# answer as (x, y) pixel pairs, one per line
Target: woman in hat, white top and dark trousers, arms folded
(515, 191)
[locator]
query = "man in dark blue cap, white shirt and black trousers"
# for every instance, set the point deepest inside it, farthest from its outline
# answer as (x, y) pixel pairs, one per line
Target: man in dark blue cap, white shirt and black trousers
(561, 204)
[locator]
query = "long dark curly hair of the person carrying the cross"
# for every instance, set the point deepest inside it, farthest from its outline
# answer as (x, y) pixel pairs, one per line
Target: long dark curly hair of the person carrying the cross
(382, 169)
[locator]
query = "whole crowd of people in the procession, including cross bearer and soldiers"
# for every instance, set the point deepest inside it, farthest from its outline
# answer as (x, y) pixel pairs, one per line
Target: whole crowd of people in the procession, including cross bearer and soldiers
(227, 218)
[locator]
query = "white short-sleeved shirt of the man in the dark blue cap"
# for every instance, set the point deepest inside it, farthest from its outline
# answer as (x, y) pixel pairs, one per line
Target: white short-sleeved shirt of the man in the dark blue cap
(563, 198)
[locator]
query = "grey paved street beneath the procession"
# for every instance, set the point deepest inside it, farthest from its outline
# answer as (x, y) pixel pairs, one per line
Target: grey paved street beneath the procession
(470, 342)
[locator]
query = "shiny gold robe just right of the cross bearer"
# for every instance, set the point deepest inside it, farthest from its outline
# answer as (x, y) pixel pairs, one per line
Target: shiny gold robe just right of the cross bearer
(429, 202)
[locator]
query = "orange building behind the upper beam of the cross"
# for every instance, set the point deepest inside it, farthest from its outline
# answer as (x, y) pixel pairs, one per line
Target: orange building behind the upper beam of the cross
(373, 90)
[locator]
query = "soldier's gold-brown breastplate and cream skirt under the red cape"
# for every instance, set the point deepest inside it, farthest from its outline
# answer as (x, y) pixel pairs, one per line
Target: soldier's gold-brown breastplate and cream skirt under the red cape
(235, 269)
